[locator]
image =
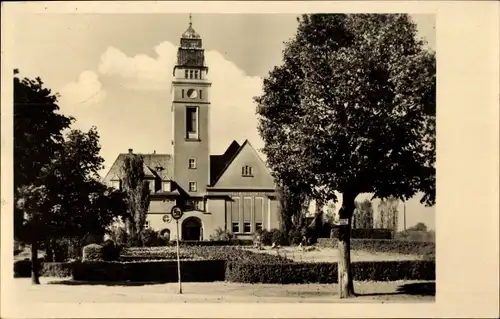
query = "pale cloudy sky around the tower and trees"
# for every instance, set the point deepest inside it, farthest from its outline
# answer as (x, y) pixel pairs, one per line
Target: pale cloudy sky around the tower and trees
(113, 71)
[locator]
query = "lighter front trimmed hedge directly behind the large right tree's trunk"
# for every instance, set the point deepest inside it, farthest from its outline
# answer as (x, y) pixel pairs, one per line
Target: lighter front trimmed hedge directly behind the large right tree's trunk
(299, 273)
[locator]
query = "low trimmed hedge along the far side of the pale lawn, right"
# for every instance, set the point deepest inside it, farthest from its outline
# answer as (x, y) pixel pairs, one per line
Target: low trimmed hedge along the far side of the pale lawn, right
(385, 246)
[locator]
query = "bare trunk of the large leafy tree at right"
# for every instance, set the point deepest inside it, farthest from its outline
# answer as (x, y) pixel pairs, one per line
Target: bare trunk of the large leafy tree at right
(346, 286)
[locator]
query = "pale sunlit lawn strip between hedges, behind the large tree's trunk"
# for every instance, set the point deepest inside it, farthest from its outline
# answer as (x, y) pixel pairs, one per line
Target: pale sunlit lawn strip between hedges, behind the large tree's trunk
(331, 254)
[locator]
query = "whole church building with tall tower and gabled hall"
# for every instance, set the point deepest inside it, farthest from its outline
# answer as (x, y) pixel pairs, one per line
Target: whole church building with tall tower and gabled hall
(233, 191)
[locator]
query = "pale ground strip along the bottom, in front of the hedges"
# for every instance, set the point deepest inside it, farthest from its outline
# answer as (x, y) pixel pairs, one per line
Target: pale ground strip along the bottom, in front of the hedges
(65, 290)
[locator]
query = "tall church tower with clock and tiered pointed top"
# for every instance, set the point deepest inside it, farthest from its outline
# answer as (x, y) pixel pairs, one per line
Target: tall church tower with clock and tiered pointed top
(190, 115)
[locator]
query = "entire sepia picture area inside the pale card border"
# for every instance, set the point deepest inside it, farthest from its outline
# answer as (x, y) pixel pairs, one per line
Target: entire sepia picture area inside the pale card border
(192, 157)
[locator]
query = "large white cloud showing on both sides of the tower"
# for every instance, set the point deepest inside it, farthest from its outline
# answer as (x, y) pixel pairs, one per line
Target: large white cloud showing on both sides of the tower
(232, 109)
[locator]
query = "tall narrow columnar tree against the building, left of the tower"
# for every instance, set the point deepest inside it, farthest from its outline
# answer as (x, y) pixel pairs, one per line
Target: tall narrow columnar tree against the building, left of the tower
(138, 192)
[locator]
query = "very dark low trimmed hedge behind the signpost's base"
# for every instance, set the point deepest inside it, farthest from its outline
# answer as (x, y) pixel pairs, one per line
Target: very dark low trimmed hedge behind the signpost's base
(159, 271)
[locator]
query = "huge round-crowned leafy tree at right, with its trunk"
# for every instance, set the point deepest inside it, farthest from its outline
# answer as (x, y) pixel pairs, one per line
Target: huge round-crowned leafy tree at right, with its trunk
(352, 109)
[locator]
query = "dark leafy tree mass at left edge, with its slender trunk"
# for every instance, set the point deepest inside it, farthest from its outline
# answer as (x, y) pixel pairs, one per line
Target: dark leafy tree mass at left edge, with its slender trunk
(57, 192)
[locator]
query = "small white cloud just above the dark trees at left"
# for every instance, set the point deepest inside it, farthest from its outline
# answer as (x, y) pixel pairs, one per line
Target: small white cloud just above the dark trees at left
(87, 90)
